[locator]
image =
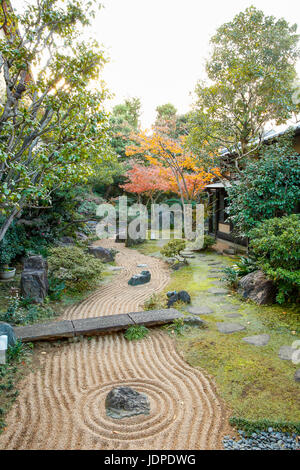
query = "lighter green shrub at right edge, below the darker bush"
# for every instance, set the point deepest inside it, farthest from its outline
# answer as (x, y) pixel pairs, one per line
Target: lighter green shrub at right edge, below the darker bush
(276, 245)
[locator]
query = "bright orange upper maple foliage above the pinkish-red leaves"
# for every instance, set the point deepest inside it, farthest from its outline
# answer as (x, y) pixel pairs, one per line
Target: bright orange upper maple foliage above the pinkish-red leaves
(176, 164)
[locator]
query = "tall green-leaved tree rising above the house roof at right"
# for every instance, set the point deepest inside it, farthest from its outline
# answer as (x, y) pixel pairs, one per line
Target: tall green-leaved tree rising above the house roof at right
(251, 75)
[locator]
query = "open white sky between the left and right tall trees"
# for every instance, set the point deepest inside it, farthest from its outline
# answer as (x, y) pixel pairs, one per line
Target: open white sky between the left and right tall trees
(158, 47)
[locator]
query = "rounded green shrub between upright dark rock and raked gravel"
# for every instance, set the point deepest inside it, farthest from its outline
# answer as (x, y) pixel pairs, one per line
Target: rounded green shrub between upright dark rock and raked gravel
(78, 269)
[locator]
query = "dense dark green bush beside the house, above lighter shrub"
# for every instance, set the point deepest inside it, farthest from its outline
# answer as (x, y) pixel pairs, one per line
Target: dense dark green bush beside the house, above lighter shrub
(267, 188)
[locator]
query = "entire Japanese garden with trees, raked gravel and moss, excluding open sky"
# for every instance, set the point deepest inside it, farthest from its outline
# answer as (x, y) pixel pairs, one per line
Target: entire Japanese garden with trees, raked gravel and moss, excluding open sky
(149, 276)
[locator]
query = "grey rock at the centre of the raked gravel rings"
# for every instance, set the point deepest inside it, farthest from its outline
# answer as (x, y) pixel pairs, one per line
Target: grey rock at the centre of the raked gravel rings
(123, 402)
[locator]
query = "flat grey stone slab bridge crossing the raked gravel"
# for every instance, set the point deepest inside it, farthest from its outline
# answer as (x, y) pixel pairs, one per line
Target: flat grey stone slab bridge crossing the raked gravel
(94, 326)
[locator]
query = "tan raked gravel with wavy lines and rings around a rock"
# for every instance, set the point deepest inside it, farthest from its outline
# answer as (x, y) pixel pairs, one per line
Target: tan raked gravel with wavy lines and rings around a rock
(62, 404)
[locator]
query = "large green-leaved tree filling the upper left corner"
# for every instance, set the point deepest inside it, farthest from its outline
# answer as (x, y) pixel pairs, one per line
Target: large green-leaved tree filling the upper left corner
(53, 128)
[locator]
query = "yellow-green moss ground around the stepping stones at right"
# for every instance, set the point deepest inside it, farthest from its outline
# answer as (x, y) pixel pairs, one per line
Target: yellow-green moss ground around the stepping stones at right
(255, 383)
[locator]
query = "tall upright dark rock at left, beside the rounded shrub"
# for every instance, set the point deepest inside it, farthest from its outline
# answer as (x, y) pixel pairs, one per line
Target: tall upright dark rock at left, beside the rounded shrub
(34, 279)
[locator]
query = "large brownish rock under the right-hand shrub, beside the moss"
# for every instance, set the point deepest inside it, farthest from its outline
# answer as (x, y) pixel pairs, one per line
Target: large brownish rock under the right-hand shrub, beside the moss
(257, 287)
